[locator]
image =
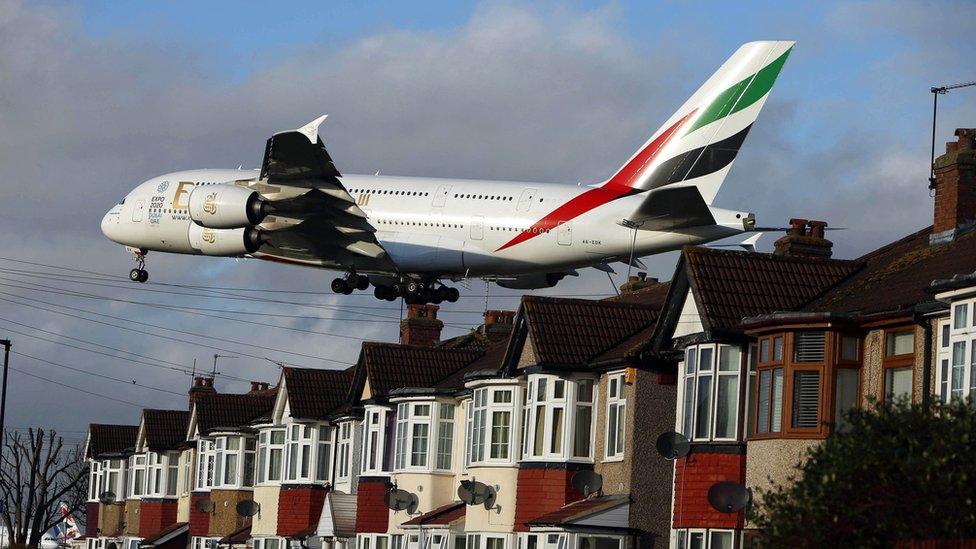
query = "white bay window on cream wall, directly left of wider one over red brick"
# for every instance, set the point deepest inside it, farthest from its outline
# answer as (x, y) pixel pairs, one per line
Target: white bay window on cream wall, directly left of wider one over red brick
(489, 426)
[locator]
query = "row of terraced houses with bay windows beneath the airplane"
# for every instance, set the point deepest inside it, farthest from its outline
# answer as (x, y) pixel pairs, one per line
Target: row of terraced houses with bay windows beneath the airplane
(753, 357)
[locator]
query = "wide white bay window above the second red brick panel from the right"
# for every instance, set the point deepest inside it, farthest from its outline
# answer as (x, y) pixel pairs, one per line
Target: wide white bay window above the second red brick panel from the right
(558, 415)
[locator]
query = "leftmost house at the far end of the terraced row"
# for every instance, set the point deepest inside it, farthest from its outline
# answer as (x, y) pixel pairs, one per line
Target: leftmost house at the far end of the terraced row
(107, 448)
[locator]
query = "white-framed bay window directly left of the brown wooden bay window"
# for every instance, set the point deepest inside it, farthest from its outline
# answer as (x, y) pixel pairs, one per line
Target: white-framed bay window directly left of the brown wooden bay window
(710, 392)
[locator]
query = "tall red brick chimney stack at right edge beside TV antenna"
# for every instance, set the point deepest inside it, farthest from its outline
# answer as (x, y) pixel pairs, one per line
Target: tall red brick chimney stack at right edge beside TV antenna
(955, 187)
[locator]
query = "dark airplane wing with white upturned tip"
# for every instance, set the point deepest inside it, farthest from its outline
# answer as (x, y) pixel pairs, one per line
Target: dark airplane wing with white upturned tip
(327, 227)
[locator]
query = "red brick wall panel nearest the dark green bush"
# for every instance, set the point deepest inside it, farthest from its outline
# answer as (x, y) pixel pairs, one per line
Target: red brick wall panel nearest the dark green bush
(693, 476)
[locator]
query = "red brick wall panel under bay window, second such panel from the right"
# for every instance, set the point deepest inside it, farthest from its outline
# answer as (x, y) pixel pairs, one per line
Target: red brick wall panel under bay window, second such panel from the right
(543, 488)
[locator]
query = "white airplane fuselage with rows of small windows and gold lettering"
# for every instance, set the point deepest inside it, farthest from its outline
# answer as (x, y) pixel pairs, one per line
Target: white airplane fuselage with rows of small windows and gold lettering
(435, 227)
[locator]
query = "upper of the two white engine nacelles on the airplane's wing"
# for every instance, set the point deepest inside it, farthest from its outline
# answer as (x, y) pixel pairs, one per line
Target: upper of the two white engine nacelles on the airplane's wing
(226, 206)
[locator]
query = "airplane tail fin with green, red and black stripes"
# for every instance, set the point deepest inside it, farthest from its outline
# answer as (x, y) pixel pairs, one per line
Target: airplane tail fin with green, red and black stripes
(697, 145)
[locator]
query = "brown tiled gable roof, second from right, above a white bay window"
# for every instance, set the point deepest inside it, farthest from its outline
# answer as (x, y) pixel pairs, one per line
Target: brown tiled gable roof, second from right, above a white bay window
(570, 332)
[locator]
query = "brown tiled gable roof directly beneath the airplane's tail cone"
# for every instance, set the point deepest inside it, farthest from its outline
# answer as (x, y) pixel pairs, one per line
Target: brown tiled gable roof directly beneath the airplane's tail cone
(731, 285)
